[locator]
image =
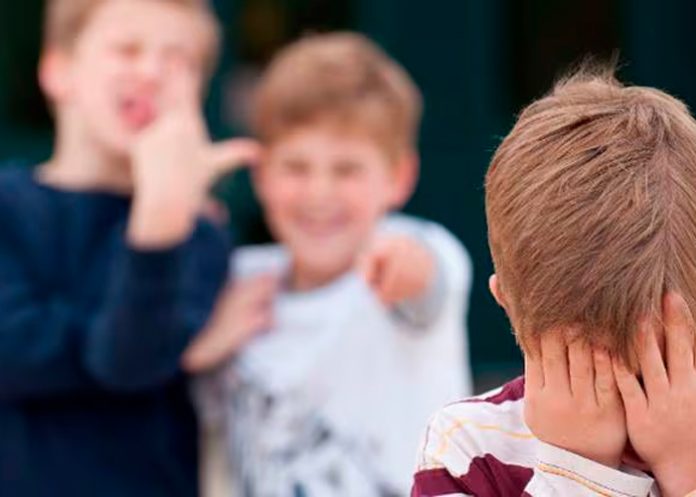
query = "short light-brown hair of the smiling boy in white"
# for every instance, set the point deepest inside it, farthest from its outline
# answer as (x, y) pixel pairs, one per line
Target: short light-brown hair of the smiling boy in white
(342, 77)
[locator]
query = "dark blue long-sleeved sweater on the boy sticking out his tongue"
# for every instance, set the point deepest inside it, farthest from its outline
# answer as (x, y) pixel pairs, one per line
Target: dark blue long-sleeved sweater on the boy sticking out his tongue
(92, 401)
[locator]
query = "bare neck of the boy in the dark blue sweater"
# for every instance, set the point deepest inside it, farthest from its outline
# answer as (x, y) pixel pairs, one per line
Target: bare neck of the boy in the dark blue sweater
(78, 163)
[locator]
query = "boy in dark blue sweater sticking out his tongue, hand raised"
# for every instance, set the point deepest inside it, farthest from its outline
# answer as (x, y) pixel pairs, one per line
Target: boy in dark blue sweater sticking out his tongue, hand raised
(100, 295)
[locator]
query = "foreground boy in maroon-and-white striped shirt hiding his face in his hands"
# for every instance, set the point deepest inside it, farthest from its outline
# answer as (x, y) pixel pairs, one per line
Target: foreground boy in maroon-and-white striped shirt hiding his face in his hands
(591, 215)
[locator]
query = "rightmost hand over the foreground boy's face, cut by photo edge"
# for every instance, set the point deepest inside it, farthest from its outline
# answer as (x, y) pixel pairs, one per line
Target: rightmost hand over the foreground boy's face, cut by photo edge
(661, 414)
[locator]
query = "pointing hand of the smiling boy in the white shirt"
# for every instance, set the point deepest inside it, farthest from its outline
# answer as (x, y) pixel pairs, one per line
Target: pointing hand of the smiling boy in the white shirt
(397, 268)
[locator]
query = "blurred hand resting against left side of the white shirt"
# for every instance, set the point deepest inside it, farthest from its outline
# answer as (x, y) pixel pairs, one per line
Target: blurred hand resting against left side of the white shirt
(242, 311)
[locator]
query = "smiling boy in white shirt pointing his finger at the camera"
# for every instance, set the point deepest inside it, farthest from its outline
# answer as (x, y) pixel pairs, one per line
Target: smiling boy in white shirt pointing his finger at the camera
(364, 311)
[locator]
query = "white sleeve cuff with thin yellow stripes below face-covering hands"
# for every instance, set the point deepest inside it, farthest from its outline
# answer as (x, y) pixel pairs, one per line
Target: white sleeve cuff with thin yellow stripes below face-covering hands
(602, 479)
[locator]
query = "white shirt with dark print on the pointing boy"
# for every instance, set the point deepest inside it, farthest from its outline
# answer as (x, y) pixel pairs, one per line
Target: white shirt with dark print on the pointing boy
(333, 400)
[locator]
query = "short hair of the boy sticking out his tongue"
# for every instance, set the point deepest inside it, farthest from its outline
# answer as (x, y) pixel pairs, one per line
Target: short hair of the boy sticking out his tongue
(64, 20)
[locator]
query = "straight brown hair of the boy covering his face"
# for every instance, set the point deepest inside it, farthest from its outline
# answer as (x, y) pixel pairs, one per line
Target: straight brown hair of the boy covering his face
(591, 209)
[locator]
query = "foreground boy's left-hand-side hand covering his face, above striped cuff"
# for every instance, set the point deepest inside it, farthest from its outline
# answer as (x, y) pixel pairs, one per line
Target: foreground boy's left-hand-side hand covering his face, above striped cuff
(572, 402)
